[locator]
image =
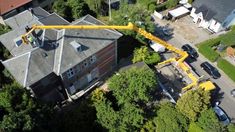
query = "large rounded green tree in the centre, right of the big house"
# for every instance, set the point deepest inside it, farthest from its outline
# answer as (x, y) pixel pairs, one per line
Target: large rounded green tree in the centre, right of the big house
(133, 85)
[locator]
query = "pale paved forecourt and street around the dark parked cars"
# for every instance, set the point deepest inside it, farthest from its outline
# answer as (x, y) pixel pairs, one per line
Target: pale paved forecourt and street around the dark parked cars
(224, 84)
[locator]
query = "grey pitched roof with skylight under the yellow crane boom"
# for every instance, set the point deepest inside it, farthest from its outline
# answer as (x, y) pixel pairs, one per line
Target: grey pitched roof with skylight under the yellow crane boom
(55, 53)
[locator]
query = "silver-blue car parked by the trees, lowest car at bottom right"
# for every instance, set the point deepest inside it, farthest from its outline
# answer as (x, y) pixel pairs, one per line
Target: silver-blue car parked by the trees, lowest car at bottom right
(223, 118)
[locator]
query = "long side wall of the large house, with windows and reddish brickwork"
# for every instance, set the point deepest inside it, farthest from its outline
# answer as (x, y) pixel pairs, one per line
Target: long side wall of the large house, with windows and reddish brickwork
(105, 62)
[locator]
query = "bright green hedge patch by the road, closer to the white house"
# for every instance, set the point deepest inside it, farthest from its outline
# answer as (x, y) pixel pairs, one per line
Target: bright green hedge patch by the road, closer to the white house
(205, 48)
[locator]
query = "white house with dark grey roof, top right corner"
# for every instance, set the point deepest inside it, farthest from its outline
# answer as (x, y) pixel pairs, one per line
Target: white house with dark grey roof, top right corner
(214, 15)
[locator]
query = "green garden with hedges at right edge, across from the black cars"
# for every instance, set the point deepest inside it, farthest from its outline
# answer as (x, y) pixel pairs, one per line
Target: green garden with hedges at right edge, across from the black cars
(211, 49)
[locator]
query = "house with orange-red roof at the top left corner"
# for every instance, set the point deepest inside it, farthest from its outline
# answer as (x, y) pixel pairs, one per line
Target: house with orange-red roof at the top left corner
(9, 8)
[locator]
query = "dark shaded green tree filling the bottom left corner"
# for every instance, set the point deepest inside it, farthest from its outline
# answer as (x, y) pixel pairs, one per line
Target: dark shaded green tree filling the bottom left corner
(20, 111)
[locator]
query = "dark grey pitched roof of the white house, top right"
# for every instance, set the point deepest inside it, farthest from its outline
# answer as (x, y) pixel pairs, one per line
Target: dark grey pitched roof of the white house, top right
(216, 9)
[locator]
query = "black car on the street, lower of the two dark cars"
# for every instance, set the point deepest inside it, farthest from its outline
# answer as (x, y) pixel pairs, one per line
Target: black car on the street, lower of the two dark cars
(212, 71)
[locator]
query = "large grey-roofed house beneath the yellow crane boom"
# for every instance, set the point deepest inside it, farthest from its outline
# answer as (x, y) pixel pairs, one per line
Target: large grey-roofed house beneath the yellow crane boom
(59, 64)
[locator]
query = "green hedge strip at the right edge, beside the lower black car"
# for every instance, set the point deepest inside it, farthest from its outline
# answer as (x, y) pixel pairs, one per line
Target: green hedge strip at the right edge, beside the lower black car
(227, 67)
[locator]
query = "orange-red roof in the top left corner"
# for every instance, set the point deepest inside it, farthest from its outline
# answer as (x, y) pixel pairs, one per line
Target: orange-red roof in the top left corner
(8, 5)
